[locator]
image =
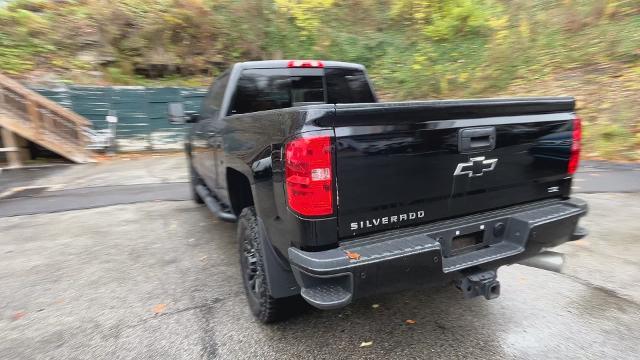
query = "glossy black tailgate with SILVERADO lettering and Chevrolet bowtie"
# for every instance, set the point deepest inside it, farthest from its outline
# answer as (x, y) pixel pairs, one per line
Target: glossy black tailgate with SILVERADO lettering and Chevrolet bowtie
(401, 164)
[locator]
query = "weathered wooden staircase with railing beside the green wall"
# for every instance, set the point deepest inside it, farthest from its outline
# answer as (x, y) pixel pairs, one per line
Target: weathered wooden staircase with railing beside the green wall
(33, 117)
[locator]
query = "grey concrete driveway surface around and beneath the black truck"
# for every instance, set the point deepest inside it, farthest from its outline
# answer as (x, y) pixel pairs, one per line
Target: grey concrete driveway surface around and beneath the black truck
(159, 278)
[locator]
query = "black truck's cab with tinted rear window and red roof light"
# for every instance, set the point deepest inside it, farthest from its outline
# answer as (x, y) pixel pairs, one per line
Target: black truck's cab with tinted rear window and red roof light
(266, 85)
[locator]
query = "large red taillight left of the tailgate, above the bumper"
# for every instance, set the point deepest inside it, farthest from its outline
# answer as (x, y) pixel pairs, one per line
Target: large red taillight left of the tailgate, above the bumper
(308, 175)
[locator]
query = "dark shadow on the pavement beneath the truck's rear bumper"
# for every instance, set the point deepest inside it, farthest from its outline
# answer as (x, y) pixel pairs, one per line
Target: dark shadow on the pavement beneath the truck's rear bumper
(395, 323)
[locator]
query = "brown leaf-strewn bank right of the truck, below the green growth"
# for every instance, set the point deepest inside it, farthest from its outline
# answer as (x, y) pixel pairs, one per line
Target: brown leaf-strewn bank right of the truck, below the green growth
(608, 101)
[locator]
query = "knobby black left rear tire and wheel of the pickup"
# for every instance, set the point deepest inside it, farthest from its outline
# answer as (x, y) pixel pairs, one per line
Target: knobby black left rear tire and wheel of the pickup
(264, 307)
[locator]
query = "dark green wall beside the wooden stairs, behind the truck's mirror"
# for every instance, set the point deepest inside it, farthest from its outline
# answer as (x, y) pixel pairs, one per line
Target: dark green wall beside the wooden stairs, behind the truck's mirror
(142, 112)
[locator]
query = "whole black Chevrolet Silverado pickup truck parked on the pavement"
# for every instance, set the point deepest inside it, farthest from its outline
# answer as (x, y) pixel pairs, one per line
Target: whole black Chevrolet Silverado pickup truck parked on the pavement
(338, 197)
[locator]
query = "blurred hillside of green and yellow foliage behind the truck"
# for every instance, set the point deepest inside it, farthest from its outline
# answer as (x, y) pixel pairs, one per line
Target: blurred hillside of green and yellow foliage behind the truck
(414, 49)
